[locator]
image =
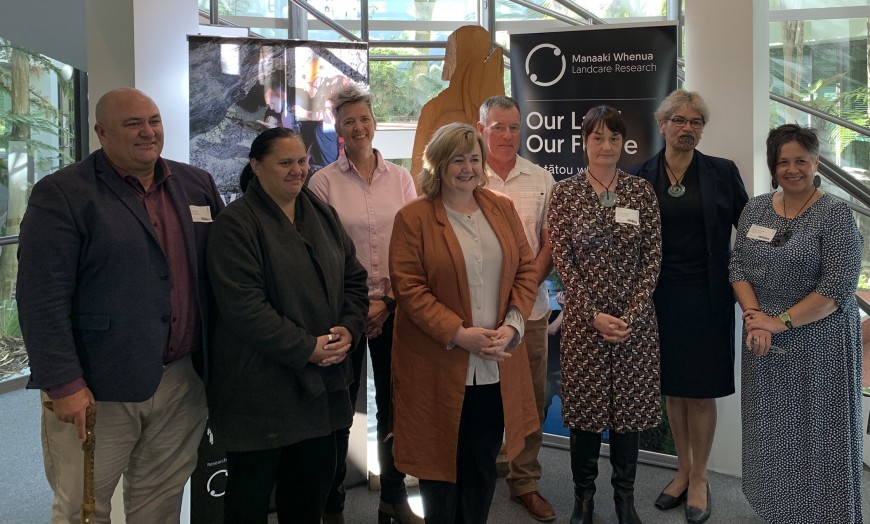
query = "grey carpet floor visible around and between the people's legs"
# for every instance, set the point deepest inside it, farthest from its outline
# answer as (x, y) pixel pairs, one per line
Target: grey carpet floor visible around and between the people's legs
(26, 499)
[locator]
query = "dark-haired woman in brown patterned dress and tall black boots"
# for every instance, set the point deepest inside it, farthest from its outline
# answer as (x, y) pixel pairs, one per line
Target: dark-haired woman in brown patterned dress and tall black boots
(606, 238)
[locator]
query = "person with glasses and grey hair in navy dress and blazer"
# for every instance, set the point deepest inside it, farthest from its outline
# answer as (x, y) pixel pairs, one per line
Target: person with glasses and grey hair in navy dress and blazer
(700, 199)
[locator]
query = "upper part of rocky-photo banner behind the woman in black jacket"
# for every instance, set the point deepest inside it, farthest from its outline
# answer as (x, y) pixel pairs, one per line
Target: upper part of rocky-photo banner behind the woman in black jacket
(240, 87)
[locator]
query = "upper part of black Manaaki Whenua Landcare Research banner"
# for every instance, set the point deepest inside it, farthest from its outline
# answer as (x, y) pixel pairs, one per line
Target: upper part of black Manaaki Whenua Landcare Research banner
(558, 76)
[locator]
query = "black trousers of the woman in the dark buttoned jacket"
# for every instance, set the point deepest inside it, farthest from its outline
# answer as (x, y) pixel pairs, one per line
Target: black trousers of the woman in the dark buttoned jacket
(300, 473)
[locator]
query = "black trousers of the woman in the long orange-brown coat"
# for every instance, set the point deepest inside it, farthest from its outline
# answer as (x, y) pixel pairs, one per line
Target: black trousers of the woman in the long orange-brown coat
(481, 427)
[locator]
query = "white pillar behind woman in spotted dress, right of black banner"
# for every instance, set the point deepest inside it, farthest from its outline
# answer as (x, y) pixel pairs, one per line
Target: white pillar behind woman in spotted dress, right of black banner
(727, 62)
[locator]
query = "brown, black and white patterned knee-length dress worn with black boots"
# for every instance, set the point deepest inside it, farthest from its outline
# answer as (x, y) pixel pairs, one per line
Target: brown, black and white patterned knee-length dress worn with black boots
(610, 267)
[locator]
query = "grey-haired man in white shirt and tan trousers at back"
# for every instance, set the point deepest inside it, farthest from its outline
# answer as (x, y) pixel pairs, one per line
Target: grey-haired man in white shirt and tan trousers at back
(529, 186)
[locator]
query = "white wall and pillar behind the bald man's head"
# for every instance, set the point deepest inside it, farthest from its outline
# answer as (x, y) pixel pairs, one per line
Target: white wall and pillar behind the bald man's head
(136, 43)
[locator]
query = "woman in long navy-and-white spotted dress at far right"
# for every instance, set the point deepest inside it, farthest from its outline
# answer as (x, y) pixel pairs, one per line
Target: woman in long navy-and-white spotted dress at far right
(794, 270)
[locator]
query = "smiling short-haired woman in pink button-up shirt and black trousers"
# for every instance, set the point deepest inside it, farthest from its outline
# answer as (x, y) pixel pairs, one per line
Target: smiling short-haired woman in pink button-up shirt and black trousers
(367, 192)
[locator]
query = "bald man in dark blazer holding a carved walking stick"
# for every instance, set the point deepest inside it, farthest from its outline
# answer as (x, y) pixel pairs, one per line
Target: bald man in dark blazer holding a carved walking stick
(113, 304)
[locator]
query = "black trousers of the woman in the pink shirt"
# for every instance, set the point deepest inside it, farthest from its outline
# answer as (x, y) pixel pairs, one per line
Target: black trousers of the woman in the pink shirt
(392, 480)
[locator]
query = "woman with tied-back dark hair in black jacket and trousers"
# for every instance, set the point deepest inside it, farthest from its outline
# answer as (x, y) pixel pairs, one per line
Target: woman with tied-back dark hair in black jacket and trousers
(291, 299)
